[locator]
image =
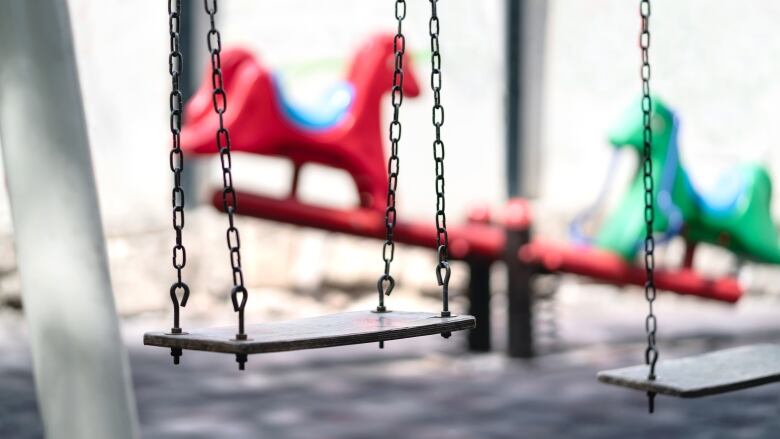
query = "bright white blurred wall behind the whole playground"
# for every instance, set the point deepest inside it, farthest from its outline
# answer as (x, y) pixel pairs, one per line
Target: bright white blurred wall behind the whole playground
(711, 60)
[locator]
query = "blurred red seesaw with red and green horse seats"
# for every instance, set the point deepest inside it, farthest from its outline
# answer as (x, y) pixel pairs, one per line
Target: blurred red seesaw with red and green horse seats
(344, 131)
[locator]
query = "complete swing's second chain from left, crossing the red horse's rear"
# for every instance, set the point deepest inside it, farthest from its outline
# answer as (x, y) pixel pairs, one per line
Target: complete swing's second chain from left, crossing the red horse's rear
(229, 198)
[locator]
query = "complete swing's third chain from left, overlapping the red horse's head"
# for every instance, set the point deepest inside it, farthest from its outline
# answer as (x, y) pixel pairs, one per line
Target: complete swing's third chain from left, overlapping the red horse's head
(386, 283)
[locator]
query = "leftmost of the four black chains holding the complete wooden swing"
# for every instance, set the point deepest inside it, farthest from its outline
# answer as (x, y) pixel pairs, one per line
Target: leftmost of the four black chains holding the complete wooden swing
(176, 162)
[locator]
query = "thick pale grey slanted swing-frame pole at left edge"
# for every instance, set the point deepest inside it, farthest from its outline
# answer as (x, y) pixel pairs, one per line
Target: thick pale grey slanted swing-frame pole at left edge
(80, 365)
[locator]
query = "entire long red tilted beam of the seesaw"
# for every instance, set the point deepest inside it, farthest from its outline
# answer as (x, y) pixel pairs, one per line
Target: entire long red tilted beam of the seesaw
(487, 241)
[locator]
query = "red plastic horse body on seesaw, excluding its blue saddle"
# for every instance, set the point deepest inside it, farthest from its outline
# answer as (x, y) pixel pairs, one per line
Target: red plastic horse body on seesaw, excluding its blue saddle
(257, 122)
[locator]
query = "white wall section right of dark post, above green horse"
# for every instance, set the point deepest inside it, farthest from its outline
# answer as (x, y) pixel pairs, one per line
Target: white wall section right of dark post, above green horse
(712, 61)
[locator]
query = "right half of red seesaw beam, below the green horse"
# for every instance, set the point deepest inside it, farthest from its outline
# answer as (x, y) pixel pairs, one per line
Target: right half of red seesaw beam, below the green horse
(607, 267)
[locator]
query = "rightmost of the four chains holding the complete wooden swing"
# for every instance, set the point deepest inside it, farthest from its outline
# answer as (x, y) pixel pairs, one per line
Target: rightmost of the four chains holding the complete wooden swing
(442, 238)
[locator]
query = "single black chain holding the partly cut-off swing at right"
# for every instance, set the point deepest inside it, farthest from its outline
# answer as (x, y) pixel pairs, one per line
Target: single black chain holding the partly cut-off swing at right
(651, 323)
